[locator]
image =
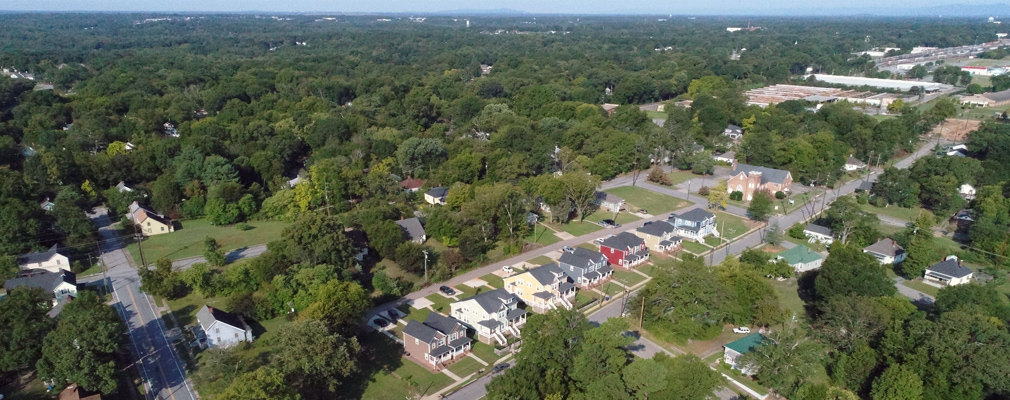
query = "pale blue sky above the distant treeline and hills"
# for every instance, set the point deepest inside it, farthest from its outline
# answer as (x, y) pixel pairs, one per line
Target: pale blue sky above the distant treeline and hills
(540, 7)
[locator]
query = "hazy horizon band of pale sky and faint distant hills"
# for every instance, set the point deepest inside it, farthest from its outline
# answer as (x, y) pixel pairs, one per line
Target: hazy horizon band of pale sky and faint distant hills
(714, 8)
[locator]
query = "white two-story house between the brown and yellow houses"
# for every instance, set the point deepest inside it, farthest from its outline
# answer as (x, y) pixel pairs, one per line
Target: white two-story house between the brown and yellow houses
(492, 315)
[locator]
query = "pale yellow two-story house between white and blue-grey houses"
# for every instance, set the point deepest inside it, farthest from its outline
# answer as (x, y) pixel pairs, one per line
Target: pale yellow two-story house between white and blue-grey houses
(544, 288)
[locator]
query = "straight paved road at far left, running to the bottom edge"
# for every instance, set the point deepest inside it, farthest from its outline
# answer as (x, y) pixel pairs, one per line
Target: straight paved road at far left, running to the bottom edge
(161, 367)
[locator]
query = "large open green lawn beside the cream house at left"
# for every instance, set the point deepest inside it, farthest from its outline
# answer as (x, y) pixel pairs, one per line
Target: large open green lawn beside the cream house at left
(188, 241)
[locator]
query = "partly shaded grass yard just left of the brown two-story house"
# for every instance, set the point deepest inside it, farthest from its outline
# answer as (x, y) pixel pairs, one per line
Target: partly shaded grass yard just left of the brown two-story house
(392, 376)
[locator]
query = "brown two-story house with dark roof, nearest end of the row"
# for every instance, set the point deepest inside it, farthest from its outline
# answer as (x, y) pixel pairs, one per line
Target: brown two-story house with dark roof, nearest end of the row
(438, 342)
